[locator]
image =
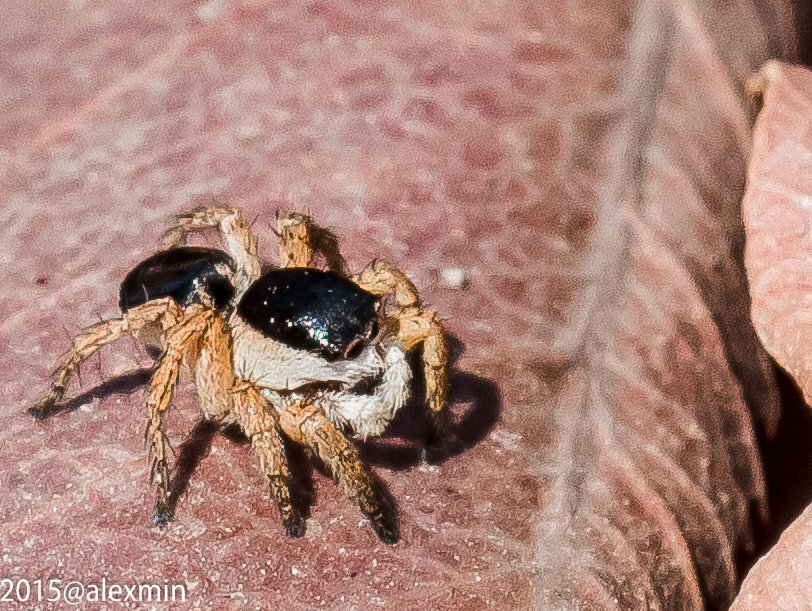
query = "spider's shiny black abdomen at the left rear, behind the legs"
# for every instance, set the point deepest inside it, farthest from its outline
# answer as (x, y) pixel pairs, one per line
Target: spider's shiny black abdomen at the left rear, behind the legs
(182, 273)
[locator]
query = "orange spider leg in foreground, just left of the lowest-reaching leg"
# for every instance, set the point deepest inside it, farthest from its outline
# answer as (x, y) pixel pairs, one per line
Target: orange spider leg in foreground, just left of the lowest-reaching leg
(260, 421)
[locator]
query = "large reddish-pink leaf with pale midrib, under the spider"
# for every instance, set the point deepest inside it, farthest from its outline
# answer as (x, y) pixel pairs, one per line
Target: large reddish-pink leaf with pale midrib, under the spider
(582, 163)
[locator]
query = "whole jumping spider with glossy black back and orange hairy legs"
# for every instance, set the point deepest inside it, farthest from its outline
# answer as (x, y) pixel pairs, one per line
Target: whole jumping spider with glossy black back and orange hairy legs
(307, 353)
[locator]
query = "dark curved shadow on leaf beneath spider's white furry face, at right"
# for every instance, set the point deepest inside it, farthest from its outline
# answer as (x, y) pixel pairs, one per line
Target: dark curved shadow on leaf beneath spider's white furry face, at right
(403, 446)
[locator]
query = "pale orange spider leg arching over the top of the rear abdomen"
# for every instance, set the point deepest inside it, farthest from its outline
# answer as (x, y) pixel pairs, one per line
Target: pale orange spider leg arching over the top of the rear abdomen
(235, 231)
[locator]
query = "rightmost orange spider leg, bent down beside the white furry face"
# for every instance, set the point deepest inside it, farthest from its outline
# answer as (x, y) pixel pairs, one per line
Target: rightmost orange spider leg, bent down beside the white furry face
(416, 324)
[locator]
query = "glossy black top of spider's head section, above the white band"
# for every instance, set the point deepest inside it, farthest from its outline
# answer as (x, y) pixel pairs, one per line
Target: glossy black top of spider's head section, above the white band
(309, 309)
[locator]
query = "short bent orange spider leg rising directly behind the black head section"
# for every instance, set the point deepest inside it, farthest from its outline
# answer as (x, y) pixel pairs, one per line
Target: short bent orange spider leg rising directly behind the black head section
(300, 239)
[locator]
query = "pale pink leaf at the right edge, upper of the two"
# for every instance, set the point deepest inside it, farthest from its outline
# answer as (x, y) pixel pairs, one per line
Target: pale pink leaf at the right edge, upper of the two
(777, 211)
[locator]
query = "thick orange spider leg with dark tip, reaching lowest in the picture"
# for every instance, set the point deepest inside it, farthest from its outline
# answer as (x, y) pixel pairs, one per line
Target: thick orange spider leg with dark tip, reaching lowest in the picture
(306, 424)
